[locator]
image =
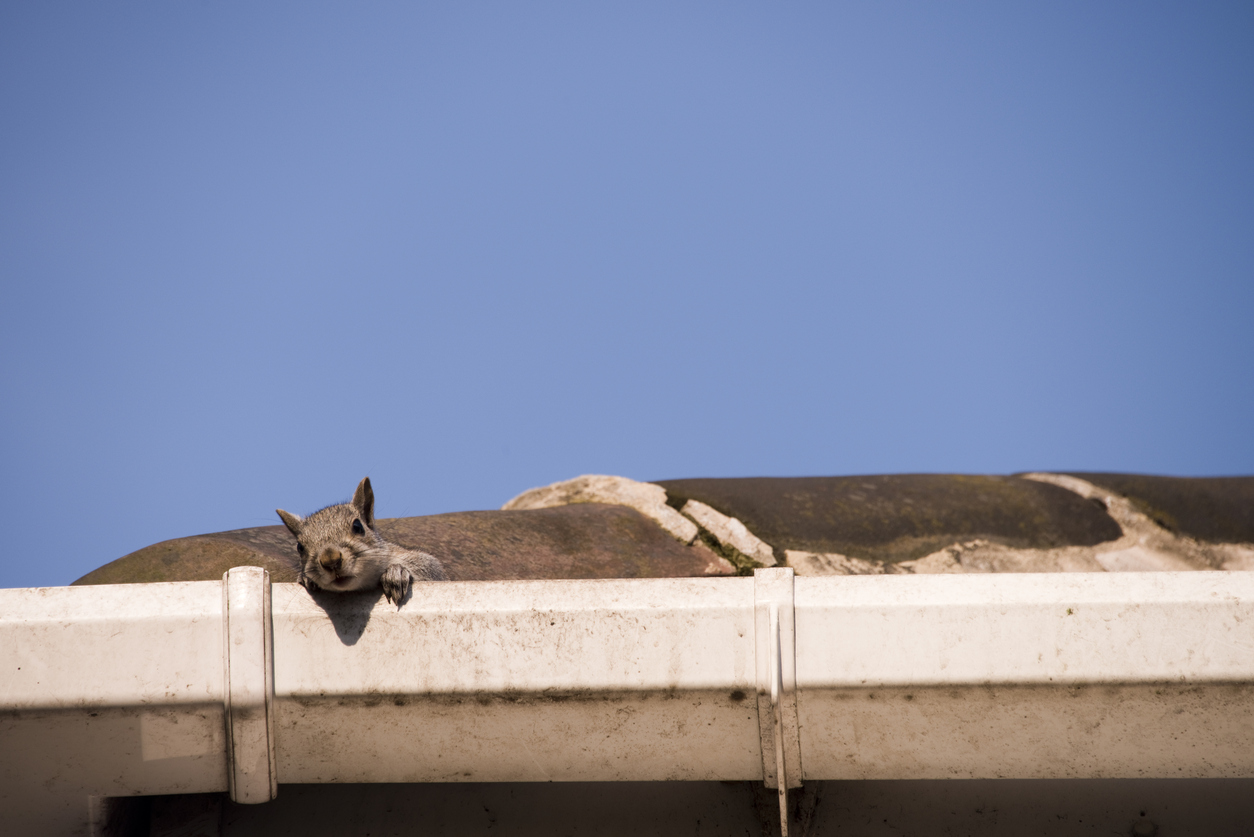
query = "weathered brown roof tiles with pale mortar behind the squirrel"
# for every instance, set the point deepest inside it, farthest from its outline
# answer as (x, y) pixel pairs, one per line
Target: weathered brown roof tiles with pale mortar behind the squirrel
(818, 525)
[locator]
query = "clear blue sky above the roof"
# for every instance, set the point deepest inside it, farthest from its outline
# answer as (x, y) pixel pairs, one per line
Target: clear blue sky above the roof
(251, 255)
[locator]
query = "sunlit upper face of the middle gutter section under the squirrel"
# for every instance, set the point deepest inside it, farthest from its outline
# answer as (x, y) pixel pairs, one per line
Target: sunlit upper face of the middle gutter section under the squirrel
(501, 638)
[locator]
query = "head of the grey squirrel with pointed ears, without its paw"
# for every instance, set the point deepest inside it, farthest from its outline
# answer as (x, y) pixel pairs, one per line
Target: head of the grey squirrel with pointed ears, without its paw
(335, 544)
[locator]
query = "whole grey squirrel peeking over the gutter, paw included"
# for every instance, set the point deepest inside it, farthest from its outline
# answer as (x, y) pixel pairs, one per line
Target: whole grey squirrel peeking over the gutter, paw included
(342, 550)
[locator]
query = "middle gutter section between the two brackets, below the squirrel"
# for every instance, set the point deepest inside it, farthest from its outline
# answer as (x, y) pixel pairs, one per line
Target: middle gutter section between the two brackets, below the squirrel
(520, 681)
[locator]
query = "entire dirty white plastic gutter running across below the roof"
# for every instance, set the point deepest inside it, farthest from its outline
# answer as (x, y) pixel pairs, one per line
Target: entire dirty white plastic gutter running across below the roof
(171, 688)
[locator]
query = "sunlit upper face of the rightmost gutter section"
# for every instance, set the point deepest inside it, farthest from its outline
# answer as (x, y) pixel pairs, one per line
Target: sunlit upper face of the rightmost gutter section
(1025, 629)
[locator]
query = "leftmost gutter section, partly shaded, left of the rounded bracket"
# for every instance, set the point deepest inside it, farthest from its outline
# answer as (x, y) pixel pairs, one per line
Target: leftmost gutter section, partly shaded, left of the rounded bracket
(110, 692)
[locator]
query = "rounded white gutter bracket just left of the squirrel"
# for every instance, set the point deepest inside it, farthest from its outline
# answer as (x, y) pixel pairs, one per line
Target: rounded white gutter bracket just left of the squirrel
(249, 686)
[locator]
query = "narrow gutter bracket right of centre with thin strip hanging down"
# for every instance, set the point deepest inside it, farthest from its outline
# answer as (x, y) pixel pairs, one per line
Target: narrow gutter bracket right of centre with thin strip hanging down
(776, 646)
